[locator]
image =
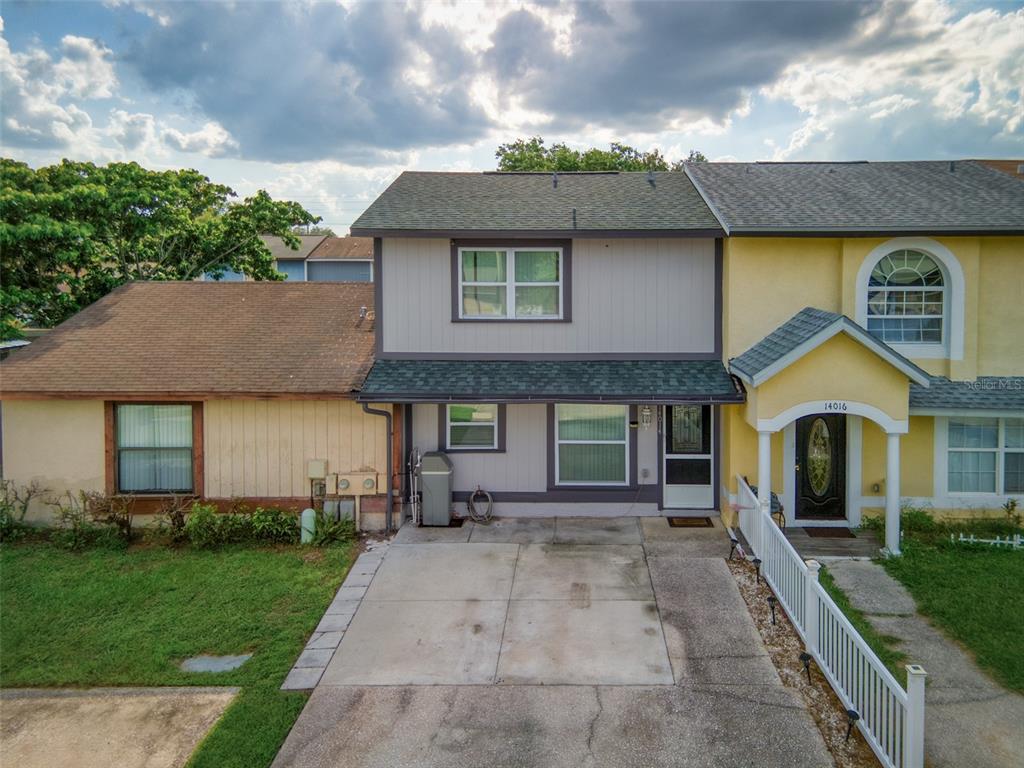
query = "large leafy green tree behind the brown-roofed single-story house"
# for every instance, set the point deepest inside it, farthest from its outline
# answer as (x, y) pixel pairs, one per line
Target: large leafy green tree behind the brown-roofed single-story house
(72, 233)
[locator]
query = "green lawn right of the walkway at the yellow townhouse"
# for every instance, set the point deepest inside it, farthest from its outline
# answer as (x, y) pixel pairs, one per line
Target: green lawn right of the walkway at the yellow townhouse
(975, 594)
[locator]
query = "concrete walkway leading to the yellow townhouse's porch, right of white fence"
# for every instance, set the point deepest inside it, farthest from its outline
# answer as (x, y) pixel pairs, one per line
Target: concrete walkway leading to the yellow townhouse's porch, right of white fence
(969, 719)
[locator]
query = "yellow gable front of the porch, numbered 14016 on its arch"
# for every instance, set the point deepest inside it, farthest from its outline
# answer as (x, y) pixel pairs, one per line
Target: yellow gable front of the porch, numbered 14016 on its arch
(842, 369)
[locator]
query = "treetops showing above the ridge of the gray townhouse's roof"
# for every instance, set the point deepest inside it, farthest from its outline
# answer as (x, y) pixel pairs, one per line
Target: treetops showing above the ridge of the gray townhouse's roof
(533, 155)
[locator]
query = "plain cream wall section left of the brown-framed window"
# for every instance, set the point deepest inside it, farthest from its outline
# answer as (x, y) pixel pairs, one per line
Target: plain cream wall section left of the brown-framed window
(59, 444)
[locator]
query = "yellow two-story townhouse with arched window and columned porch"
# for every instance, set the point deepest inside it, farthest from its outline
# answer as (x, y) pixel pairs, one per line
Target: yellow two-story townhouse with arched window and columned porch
(874, 313)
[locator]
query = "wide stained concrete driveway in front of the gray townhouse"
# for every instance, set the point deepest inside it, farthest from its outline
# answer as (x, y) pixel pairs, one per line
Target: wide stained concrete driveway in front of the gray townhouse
(583, 643)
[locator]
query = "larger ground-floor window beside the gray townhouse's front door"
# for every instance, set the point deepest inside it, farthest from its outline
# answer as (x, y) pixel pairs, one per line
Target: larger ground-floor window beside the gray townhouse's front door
(591, 445)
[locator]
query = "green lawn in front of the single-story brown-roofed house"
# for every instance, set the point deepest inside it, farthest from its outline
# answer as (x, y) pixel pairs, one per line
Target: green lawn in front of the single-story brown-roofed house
(129, 618)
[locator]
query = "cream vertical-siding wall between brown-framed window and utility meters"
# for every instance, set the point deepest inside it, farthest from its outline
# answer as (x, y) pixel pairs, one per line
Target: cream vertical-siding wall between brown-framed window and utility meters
(261, 448)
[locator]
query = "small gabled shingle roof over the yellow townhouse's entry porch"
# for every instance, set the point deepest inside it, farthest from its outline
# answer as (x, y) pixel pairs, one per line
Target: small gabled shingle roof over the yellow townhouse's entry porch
(801, 328)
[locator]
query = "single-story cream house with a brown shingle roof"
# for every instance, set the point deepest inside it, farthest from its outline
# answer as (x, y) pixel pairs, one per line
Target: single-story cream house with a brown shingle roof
(222, 392)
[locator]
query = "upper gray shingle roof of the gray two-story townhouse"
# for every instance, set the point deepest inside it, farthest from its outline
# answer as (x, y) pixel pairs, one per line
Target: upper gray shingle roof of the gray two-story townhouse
(531, 202)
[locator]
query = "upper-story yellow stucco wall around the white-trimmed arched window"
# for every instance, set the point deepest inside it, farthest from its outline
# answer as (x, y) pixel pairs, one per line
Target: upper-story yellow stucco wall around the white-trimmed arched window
(766, 281)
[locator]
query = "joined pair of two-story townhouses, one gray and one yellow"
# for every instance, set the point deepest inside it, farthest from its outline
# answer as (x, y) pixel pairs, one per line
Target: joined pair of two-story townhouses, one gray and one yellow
(610, 344)
